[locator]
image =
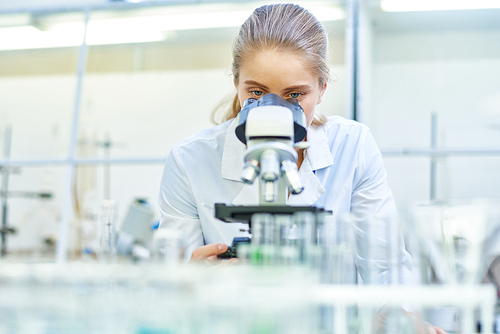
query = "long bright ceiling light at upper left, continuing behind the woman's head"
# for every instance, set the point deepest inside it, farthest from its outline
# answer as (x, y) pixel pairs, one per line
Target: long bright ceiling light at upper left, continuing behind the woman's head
(133, 29)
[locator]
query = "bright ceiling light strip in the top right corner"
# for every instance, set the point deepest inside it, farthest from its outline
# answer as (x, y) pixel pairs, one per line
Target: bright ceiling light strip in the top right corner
(432, 5)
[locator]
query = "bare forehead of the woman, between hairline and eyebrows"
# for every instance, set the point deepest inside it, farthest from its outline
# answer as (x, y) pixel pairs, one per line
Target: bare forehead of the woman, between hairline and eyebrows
(276, 67)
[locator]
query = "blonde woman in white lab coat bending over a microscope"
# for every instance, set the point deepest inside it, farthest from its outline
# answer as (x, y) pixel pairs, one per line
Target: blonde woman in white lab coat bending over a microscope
(280, 49)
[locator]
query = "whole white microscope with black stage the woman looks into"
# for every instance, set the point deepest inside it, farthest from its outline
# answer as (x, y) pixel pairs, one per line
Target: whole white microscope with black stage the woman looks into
(271, 128)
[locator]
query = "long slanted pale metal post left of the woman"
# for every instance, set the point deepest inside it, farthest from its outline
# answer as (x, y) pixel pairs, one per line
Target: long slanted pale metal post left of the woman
(62, 241)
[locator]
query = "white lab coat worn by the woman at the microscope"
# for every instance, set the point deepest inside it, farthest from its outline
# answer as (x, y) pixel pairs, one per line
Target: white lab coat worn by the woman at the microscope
(342, 171)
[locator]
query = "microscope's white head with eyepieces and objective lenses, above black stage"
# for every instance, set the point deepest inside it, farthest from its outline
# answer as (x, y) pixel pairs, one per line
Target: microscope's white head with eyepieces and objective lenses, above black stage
(270, 127)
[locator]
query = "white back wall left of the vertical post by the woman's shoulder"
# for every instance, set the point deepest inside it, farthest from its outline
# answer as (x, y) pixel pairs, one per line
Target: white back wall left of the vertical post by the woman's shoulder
(145, 115)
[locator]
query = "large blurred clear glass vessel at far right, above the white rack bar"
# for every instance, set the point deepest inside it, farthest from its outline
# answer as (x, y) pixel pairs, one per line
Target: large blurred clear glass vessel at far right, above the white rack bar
(456, 240)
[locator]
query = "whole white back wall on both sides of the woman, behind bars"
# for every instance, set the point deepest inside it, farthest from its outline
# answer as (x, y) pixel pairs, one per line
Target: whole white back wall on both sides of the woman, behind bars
(413, 74)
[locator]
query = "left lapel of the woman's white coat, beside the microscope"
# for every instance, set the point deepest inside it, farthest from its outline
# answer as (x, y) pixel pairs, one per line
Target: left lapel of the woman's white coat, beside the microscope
(232, 166)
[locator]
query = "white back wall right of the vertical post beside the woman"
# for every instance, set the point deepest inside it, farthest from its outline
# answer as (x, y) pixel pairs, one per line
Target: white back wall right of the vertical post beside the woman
(452, 73)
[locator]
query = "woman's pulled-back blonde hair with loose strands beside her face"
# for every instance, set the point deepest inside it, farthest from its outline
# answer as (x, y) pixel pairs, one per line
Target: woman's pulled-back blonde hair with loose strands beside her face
(286, 27)
